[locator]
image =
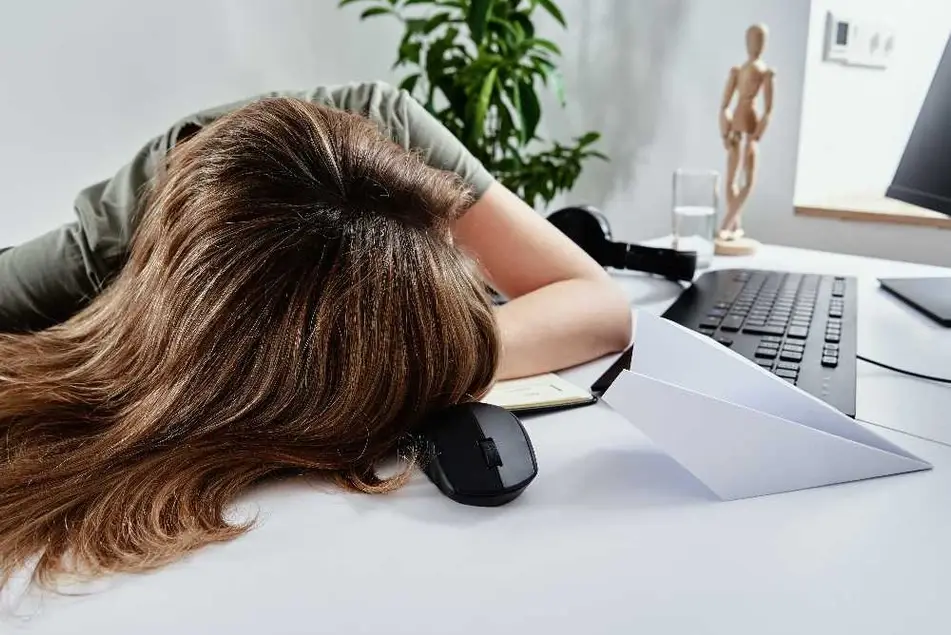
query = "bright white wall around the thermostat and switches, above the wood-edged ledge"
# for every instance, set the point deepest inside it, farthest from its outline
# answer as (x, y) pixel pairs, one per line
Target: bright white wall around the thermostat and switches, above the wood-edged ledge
(856, 121)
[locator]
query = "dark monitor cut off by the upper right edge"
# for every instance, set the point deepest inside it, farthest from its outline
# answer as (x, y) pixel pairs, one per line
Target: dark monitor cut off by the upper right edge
(923, 177)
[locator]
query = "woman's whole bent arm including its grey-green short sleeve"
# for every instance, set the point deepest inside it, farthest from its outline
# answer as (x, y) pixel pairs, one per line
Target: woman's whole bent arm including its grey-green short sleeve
(563, 308)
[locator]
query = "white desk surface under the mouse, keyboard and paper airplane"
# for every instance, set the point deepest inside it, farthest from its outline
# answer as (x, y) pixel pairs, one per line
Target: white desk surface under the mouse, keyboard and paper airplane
(613, 536)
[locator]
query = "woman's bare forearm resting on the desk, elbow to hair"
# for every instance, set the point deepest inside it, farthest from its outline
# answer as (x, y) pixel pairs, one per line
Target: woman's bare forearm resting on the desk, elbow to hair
(561, 325)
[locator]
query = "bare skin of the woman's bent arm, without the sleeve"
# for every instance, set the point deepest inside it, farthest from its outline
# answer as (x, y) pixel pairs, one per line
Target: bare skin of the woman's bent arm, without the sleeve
(563, 309)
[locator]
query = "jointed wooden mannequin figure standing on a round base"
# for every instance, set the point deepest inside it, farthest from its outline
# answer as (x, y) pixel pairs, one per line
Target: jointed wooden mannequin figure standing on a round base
(742, 131)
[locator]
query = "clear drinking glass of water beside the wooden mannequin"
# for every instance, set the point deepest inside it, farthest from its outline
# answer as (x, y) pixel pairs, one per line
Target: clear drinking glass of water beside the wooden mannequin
(695, 203)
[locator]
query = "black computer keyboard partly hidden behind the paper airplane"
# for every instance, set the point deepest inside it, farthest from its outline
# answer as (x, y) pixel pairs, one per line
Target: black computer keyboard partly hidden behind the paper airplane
(802, 327)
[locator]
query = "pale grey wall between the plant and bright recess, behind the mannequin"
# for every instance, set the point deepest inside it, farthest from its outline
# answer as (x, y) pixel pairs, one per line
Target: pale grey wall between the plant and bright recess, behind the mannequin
(650, 75)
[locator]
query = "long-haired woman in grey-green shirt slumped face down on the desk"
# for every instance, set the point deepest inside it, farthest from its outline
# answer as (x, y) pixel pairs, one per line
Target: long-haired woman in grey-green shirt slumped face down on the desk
(271, 287)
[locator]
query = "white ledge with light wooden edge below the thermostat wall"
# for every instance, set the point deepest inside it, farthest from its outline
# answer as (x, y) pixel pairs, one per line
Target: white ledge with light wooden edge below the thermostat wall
(873, 209)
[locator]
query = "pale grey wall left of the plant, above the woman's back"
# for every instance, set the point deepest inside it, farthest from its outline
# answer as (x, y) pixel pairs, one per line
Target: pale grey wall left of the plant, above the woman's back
(84, 84)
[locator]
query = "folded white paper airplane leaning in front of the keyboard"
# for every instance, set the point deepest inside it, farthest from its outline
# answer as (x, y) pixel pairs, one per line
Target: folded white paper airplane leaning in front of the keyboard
(738, 428)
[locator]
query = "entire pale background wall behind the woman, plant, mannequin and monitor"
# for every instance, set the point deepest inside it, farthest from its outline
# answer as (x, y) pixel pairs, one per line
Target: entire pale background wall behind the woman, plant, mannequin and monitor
(84, 84)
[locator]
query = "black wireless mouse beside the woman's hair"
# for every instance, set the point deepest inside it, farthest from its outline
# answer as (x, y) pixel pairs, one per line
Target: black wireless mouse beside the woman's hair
(478, 454)
